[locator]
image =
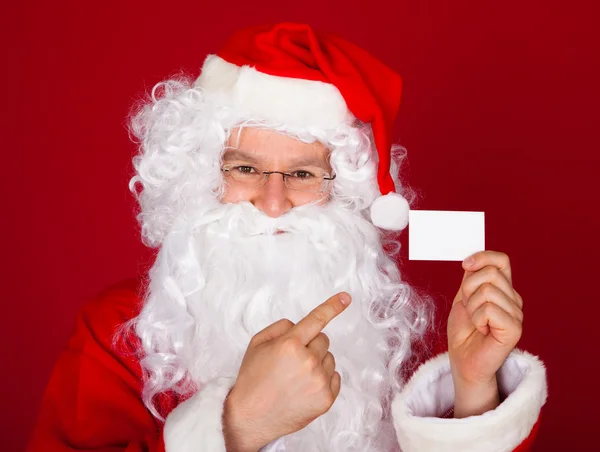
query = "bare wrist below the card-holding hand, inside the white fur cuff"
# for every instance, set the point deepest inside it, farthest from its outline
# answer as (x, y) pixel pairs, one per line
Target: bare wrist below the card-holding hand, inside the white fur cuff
(475, 398)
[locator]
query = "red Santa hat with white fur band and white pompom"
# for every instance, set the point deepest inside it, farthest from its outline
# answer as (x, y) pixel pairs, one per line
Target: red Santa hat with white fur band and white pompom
(291, 74)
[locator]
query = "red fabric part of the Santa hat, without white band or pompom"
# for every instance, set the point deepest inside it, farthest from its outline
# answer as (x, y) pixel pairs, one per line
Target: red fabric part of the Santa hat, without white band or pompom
(370, 88)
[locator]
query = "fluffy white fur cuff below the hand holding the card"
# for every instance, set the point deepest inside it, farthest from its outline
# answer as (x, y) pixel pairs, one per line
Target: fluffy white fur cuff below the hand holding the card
(430, 393)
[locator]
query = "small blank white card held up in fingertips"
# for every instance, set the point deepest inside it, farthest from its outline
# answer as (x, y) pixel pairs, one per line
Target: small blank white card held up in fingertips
(440, 235)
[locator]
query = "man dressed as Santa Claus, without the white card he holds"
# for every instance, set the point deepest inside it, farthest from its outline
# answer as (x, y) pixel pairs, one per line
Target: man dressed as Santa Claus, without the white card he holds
(274, 317)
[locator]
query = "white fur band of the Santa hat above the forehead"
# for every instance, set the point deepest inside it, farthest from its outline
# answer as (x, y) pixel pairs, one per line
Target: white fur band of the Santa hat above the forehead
(295, 102)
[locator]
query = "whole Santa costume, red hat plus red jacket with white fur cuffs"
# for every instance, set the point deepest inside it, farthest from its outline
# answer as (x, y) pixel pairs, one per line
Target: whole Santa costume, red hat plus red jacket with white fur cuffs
(286, 74)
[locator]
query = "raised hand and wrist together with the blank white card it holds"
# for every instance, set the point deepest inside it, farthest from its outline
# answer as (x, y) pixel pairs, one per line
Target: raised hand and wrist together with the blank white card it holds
(486, 319)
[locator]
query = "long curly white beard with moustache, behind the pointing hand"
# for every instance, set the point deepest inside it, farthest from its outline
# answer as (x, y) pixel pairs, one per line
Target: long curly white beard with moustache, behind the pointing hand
(224, 275)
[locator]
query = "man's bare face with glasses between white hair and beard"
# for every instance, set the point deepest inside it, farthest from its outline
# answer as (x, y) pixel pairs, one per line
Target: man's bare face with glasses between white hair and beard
(251, 151)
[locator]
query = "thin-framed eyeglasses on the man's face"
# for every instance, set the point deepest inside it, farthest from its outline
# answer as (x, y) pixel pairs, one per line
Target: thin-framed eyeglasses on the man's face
(300, 180)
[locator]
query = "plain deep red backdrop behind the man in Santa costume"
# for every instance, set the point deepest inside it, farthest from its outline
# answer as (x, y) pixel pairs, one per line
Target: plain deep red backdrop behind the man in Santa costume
(500, 114)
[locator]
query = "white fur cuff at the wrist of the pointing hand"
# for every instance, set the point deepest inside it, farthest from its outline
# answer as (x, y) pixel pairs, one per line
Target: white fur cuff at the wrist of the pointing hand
(195, 425)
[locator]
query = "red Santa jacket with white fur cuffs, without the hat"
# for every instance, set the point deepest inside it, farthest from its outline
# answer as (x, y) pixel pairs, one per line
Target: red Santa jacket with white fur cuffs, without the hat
(93, 399)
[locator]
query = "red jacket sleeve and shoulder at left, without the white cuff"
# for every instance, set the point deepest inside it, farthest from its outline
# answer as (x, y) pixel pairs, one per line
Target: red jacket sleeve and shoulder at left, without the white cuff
(92, 401)
